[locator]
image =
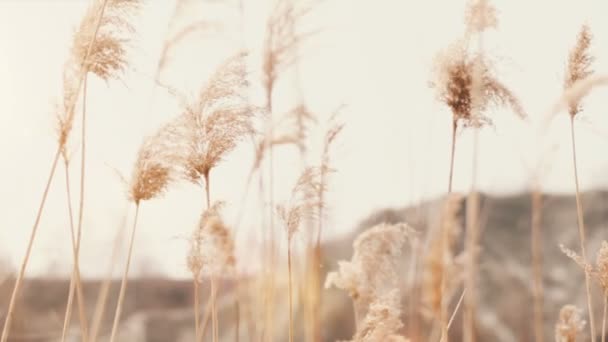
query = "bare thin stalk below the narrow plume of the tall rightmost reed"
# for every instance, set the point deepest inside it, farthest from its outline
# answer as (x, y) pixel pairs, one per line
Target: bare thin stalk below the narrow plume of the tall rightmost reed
(581, 231)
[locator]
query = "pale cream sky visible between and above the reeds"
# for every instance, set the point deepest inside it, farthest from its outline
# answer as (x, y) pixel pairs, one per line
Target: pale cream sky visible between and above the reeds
(374, 56)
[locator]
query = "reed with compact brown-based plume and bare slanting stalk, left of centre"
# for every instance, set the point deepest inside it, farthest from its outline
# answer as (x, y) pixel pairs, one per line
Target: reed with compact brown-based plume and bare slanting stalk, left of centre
(154, 170)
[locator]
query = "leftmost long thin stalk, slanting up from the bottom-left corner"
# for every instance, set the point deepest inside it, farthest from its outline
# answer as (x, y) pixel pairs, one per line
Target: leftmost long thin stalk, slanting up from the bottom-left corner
(11, 306)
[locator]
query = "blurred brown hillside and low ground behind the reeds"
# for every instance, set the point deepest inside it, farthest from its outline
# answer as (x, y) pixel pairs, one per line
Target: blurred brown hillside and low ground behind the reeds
(160, 310)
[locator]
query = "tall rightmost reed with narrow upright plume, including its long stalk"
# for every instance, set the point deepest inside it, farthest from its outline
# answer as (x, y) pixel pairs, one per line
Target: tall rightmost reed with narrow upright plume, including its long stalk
(578, 69)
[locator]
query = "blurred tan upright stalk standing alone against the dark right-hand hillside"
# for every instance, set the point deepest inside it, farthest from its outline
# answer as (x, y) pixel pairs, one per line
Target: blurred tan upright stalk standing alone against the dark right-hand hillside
(537, 264)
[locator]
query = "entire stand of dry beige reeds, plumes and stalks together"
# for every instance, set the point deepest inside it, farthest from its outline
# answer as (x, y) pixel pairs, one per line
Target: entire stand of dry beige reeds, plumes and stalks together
(443, 279)
